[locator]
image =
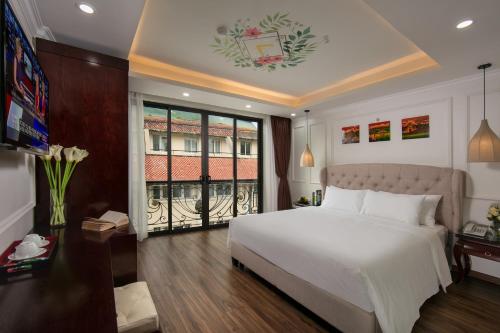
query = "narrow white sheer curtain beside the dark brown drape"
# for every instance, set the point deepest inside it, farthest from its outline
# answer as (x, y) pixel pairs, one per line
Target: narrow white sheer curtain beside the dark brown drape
(270, 178)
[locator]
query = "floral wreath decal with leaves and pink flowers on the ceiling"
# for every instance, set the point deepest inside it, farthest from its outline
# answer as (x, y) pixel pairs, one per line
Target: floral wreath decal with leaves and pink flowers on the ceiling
(275, 42)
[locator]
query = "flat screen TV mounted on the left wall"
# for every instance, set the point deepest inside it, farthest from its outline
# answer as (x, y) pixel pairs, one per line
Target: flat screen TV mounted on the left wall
(24, 90)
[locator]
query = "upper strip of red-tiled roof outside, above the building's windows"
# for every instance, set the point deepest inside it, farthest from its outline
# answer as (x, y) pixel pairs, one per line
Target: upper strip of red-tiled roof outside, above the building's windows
(194, 127)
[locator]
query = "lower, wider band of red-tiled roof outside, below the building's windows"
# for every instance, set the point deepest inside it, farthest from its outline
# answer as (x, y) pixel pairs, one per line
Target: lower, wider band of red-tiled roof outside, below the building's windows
(189, 168)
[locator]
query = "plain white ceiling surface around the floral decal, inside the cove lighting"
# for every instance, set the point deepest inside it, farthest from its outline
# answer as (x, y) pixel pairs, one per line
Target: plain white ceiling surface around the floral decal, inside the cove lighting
(358, 39)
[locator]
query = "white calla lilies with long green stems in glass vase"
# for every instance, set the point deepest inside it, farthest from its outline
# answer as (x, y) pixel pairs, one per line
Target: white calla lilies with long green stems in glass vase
(57, 181)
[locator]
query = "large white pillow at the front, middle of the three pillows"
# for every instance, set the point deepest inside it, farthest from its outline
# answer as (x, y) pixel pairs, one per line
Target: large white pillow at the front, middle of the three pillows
(400, 207)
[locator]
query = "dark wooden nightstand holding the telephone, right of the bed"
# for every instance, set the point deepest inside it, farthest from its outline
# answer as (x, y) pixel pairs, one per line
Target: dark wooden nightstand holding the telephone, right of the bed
(466, 246)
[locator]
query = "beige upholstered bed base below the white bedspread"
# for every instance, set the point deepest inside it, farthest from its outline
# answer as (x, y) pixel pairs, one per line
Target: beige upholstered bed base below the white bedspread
(336, 311)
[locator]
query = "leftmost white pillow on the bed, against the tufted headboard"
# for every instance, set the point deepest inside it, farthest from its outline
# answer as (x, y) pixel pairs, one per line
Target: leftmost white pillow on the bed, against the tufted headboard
(343, 199)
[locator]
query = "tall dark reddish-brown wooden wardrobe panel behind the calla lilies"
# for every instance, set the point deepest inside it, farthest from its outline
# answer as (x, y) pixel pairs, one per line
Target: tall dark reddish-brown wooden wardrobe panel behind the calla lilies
(88, 109)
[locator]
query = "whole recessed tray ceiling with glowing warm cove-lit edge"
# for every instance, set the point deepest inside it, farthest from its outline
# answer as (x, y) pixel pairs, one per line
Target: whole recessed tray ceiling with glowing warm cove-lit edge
(177, 40)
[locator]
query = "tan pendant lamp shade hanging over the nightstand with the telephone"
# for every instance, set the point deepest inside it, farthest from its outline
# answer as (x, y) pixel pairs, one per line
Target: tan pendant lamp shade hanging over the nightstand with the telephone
(484, 145)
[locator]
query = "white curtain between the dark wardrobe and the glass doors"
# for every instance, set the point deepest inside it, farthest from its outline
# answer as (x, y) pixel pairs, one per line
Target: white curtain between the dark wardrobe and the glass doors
(137, 201)
